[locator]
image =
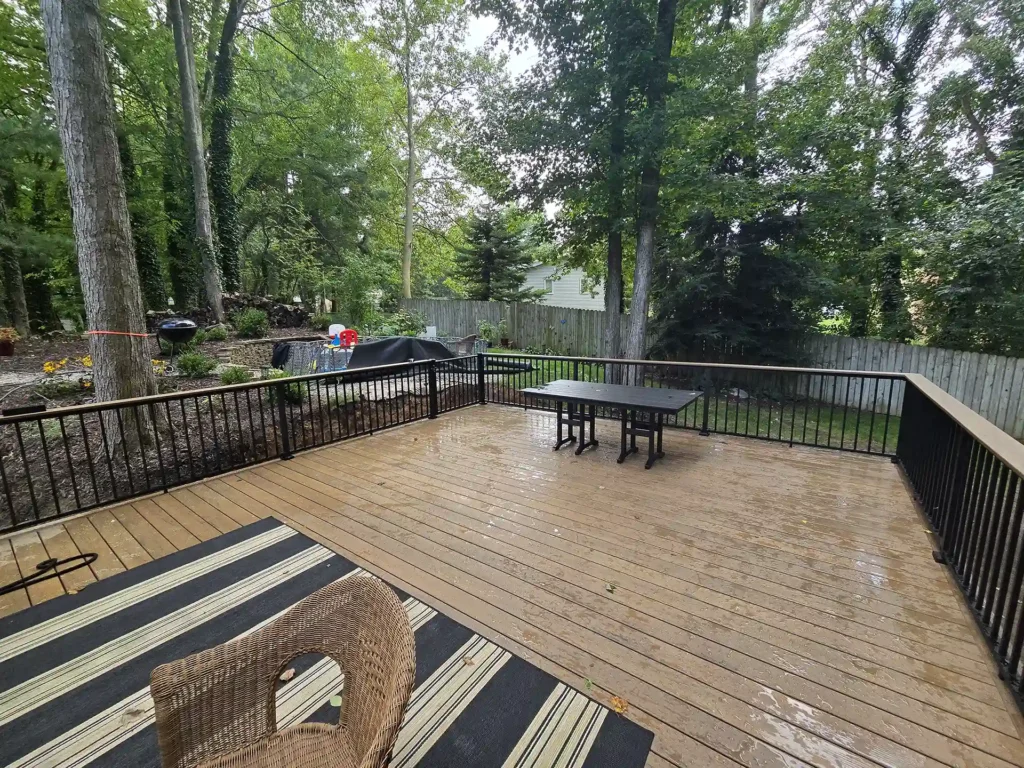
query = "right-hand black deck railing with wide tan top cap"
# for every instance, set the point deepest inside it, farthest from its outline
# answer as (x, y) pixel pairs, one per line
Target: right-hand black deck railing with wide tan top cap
(967, 476)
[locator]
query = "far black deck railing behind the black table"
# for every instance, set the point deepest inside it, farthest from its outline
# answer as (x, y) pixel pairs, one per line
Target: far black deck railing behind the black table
(843, 410)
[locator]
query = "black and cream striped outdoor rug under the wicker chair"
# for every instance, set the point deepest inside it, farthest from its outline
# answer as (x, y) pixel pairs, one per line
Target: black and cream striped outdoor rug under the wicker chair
(75, 671)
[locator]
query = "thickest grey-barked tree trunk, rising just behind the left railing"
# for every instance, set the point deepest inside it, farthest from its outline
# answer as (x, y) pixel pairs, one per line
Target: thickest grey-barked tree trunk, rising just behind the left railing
(86, 115)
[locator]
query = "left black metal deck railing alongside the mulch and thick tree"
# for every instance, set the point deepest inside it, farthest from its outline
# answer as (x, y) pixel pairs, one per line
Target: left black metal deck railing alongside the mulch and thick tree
(65, 461)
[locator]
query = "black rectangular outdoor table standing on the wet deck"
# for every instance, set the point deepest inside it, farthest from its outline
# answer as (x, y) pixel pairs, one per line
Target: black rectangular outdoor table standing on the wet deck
(643, 412)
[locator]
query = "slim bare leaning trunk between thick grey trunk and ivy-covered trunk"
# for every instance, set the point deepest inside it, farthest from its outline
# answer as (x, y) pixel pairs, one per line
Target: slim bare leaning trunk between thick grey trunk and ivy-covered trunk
(178, 11)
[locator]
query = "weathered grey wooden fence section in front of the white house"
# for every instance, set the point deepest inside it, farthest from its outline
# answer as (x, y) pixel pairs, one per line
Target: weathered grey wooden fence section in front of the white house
(539, 327)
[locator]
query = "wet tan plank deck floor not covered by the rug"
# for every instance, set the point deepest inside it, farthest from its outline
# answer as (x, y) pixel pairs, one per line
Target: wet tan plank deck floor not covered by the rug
(756, 605)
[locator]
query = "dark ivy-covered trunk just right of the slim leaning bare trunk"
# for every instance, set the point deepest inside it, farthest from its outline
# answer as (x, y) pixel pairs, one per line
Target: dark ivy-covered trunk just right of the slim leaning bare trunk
(225, 204)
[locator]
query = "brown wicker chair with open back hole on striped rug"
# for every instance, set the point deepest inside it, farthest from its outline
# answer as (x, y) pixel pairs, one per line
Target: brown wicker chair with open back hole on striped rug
(218, 708)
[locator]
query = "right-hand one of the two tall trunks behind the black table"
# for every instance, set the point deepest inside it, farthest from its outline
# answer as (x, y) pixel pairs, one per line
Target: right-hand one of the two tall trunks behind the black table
(651, 179)
